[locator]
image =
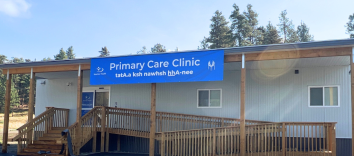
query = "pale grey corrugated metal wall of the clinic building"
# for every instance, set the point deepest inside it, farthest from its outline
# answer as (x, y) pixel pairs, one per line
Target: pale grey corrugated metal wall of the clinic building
(271, 95)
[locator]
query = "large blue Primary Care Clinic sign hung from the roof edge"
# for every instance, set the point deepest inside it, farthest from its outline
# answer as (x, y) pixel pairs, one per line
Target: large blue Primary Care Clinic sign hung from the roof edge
(158, 68)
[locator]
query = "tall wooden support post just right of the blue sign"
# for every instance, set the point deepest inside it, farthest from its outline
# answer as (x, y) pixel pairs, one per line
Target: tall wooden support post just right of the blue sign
(242, 109)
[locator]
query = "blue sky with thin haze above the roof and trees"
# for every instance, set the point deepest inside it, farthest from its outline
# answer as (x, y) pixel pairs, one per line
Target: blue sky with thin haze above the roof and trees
(37, 29)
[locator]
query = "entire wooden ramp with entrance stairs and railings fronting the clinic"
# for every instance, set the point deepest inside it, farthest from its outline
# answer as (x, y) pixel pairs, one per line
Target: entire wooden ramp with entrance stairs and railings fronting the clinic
(177, 134)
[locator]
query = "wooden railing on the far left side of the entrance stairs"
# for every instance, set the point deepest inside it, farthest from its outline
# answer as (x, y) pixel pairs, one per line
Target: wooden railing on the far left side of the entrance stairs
(31, 131)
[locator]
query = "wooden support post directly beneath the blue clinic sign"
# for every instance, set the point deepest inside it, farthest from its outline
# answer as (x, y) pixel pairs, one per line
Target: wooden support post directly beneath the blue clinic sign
(152, 120)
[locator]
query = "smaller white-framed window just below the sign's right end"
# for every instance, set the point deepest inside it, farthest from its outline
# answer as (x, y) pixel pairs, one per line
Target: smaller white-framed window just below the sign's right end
(209, 98)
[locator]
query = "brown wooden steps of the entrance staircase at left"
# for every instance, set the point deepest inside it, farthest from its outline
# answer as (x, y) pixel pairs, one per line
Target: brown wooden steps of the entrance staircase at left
(50, 141)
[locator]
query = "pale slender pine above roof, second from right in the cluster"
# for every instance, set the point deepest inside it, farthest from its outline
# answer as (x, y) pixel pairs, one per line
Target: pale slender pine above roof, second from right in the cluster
(287, 29)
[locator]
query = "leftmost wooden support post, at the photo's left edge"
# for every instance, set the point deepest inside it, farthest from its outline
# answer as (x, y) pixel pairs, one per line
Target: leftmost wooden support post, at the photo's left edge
(7, 112)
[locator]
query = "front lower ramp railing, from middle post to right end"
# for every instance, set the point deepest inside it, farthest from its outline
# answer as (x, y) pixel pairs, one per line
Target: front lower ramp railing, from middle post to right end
(266, 139)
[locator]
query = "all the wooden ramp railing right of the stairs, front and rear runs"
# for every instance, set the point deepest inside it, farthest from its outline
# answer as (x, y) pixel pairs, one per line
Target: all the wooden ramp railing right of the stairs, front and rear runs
(182, 134)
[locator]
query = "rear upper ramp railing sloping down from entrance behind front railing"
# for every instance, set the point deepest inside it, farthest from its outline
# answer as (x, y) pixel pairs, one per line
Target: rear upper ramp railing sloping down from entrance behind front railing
(136, 123)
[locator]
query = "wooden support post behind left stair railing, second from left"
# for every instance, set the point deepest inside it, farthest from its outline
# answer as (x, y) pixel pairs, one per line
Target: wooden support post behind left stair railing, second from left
(31, 104)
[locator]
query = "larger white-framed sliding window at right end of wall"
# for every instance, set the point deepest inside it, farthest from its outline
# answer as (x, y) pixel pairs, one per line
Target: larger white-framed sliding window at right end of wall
(323, 96)
